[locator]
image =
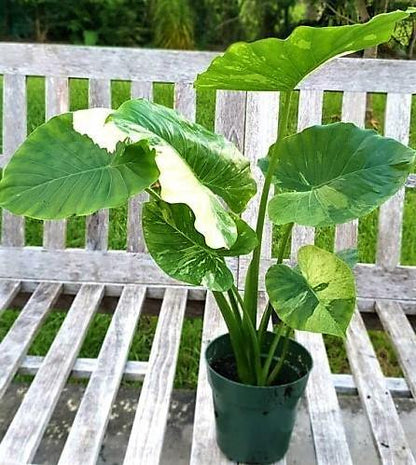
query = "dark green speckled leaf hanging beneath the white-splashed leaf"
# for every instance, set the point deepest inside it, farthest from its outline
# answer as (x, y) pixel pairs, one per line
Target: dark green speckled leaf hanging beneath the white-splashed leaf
(181, 251)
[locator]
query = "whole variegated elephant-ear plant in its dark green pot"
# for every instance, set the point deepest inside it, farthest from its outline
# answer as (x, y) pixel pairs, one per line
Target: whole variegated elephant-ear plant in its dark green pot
(199, 184)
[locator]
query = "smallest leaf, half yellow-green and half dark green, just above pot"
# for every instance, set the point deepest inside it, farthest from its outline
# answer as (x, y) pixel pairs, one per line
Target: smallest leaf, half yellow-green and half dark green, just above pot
(319, 297)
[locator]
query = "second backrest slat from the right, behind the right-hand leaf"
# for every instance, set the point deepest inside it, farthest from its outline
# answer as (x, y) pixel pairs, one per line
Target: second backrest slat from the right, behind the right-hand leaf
(353, 111)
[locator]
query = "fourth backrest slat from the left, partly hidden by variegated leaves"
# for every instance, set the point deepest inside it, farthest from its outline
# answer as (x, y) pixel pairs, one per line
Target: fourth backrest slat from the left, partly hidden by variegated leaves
(135, 239)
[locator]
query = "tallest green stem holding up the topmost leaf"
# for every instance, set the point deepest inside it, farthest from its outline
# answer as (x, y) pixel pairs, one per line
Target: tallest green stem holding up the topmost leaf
(252, 277)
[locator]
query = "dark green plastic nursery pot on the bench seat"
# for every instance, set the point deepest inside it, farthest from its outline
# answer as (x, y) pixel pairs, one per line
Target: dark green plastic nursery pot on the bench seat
(254, 424)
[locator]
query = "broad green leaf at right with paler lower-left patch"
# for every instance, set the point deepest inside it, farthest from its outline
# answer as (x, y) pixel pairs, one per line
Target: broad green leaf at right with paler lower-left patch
(332, 174)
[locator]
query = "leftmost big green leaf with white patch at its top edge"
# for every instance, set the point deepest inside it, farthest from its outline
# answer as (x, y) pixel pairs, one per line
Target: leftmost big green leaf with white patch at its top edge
(58, 172)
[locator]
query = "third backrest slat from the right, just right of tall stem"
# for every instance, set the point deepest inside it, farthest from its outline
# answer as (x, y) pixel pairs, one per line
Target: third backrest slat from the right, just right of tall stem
(309, 114)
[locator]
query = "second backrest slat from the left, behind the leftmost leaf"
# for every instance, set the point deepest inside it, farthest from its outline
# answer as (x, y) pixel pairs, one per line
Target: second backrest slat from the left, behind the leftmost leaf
(57, 102)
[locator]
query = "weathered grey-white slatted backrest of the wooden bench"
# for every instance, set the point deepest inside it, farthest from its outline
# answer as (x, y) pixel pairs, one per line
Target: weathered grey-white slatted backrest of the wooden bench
(248, 119)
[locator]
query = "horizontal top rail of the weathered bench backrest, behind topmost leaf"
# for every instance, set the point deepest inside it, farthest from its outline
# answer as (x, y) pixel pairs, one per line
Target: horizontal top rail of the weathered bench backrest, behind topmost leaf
(350, 74)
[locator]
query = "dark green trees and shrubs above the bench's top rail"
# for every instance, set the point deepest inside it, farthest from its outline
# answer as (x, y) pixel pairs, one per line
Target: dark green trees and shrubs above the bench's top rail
(187, 24)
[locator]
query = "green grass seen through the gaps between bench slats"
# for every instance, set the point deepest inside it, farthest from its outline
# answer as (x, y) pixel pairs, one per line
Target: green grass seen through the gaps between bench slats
(186, 375)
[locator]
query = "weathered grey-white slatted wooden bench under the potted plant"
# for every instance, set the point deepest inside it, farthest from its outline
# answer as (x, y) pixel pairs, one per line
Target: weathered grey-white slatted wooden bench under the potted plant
(52, 274)
